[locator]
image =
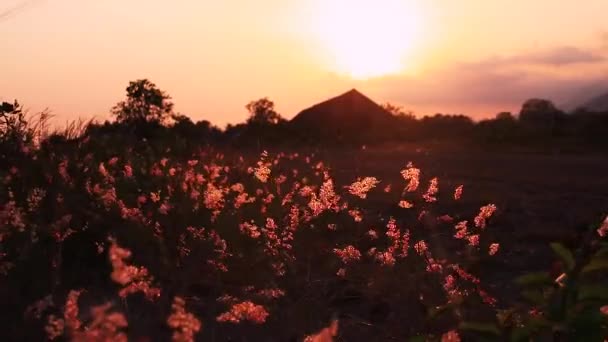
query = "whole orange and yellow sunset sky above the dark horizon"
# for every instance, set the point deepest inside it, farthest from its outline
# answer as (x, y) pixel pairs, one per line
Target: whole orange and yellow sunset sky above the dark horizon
(475, 57)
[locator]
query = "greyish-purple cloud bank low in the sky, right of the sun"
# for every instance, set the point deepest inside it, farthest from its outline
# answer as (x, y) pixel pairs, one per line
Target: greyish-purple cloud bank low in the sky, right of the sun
(500, 83)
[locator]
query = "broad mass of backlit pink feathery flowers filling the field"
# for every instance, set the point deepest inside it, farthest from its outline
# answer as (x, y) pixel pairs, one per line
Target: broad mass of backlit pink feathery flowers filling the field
(275, 227)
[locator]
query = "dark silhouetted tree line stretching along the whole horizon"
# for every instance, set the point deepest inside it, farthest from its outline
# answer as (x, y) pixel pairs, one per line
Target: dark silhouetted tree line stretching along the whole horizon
(147, 115)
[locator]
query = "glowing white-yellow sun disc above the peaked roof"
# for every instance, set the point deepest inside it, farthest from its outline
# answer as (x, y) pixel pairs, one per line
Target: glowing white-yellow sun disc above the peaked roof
(367, 38)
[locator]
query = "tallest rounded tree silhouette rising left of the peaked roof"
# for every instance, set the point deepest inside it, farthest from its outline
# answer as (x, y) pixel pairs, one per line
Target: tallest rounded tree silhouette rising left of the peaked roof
(144, 103)
